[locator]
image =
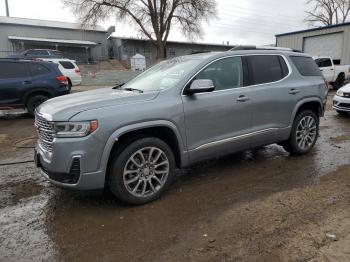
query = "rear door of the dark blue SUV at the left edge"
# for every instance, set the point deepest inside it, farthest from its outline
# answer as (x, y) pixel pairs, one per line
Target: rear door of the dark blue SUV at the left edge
(15, 79)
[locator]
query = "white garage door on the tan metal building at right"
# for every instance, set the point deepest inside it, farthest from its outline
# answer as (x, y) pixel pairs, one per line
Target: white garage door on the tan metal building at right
(325, 45)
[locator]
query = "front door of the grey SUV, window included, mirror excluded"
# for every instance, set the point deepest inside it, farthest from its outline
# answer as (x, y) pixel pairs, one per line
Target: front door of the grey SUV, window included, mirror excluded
(218, 122)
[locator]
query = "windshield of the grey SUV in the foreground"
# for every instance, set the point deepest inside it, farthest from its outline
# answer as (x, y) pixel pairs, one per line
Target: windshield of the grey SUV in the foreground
(165, 74)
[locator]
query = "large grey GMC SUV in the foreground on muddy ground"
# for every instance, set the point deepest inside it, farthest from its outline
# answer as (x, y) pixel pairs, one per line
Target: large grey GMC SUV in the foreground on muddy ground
(132, 137)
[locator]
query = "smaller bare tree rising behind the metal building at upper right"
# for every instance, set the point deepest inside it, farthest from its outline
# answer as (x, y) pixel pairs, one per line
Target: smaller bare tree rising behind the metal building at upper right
(328, 12)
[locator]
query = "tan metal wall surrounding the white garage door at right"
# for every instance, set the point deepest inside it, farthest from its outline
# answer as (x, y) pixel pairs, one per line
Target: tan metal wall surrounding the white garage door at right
(296, 41)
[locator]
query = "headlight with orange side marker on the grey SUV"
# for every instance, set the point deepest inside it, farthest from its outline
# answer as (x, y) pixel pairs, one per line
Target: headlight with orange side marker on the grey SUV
(74, 129)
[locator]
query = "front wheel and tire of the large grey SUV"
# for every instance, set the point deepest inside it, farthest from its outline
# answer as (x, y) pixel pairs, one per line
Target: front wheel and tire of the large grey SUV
(135, 181)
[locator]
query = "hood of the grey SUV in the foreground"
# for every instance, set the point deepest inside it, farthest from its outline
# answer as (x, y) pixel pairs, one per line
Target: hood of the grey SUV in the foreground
(64, 107)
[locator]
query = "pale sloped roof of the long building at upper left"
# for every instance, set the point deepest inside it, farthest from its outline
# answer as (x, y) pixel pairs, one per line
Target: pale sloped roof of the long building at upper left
(47, 23)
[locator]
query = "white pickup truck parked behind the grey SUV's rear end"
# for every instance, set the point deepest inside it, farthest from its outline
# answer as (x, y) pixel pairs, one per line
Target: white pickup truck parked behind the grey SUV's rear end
(334, 74)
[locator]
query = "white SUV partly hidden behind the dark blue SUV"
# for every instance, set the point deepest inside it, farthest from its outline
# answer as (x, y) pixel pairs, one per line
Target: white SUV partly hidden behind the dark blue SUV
(69, 69)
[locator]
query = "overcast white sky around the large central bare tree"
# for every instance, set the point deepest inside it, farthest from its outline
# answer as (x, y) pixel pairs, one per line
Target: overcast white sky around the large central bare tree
(239, 21)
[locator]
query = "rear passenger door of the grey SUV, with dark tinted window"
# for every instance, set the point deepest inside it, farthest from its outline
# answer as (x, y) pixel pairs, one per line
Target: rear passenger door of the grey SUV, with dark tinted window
(273, 96)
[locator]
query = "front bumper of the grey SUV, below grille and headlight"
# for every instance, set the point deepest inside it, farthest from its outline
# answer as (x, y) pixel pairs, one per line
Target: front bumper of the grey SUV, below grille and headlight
(68, 169)
